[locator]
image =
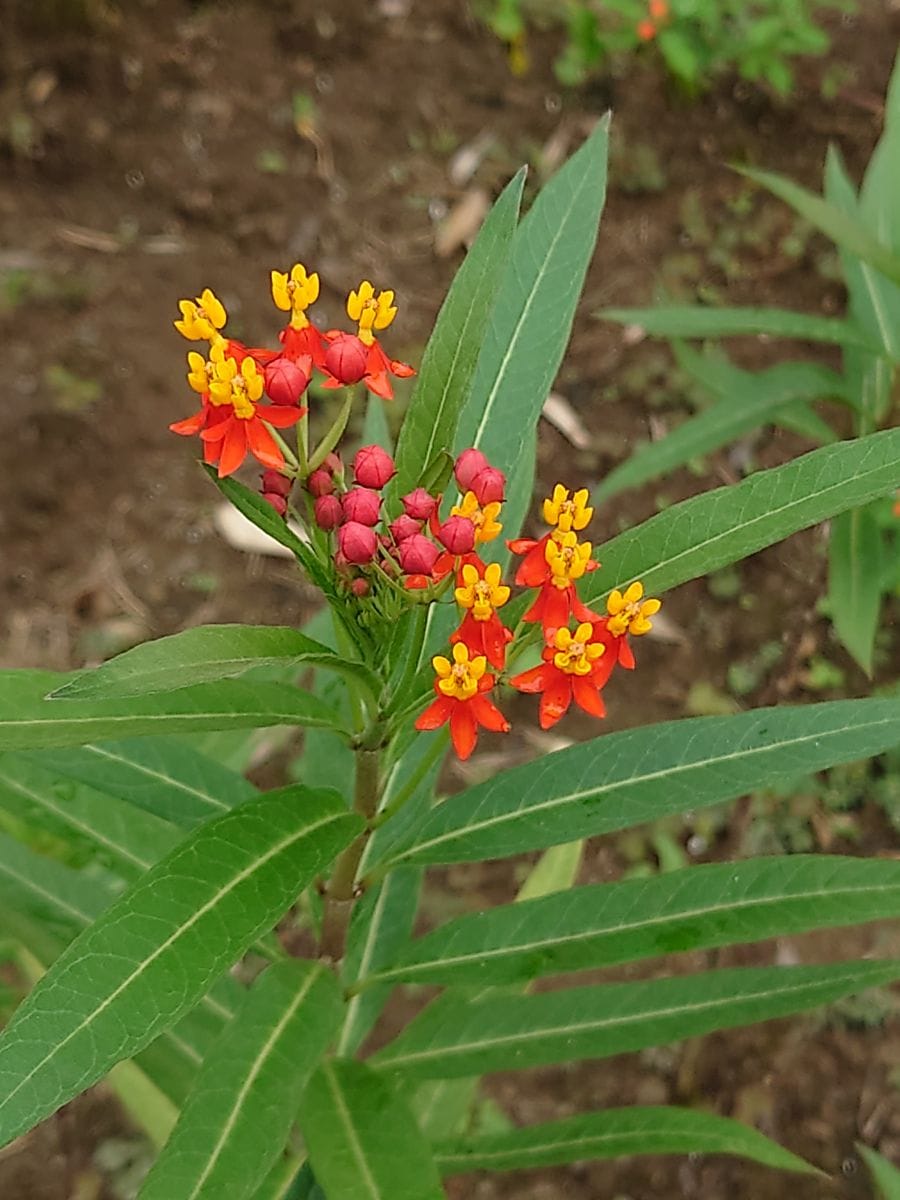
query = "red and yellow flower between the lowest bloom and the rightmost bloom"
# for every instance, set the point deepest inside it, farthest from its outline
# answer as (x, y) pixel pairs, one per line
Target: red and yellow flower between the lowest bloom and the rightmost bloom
(569, 671)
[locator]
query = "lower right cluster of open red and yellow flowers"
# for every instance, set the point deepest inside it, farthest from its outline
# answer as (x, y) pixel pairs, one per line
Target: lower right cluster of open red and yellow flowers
(575, 665)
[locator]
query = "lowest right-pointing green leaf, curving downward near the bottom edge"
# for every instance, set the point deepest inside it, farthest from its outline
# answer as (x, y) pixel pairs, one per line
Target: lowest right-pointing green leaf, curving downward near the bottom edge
(611, 1135)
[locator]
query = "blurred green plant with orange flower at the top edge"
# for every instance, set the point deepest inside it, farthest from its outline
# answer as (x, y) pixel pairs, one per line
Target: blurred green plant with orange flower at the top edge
(698, 40)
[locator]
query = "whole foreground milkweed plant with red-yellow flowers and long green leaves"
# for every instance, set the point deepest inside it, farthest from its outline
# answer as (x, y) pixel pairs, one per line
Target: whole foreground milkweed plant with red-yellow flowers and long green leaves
(224, 955)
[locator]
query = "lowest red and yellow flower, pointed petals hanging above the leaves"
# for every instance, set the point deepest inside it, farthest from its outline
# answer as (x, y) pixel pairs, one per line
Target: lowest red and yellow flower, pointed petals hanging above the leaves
(461, 700)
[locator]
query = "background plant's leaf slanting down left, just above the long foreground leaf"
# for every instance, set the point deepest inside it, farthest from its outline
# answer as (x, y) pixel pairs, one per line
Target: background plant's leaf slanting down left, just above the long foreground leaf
(753, 399)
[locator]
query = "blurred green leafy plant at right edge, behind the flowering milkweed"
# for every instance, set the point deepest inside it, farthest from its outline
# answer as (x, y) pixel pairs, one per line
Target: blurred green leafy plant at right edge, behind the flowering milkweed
(865, 544)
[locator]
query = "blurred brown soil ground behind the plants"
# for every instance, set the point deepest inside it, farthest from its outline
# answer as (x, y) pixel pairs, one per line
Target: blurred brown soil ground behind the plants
(153, 148)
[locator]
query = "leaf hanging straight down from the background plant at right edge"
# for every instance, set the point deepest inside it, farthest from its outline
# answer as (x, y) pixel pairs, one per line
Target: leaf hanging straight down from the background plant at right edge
(855, 572)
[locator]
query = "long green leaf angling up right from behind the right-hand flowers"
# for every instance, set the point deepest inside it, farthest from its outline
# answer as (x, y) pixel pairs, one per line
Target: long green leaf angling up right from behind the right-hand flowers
(729, 524)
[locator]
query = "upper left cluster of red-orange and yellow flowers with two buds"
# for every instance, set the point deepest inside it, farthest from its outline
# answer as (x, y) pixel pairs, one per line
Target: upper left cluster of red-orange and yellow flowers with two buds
(249, 394)
